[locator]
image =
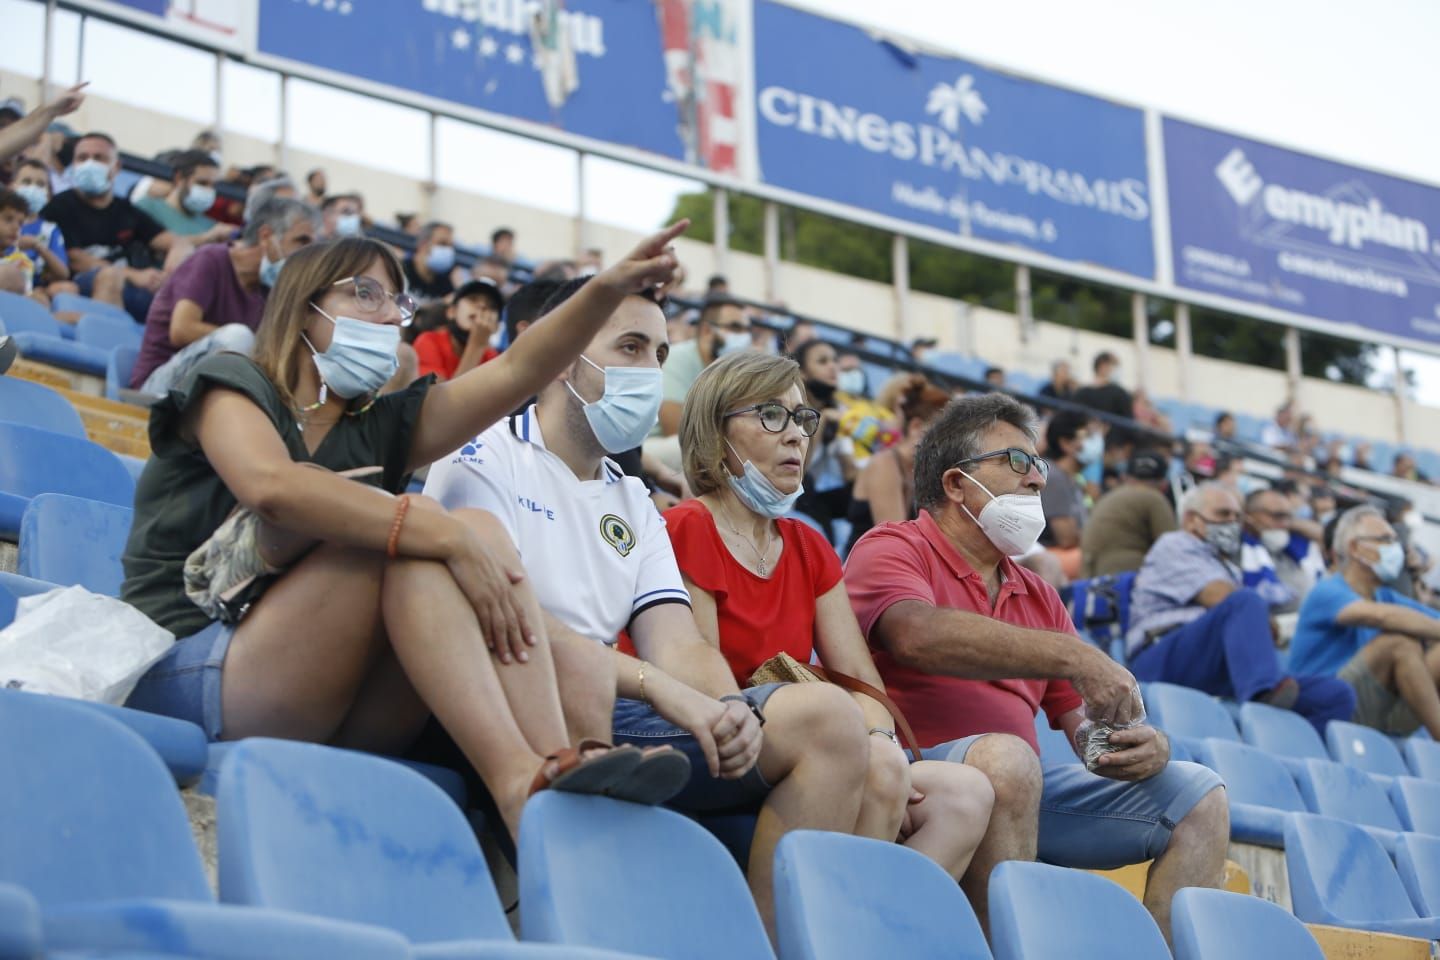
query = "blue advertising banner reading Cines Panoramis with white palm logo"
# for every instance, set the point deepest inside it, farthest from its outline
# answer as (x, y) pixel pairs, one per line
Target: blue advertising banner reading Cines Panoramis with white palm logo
(948, 145)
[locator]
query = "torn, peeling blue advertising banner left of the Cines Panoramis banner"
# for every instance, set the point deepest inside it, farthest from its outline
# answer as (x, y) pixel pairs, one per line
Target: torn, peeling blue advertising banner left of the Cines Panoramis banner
(657, 76)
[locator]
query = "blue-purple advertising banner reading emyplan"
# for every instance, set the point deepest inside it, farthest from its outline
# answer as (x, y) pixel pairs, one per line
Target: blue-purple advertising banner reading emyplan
(1300, 234)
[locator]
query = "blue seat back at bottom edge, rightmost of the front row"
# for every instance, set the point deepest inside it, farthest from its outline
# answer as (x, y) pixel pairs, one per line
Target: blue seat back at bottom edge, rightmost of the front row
(1216, 925)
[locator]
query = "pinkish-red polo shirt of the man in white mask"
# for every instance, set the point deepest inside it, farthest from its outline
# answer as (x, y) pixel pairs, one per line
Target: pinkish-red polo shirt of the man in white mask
(912, 561)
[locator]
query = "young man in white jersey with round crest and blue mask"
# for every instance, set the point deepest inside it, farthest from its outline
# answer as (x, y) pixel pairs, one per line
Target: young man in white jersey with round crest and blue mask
(600, 562)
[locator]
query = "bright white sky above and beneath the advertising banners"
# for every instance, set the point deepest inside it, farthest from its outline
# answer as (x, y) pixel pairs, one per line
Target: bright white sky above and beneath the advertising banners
(1340, 78)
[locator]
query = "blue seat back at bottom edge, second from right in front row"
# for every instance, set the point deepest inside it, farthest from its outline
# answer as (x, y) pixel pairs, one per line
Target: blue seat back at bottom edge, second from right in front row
(1042, 912)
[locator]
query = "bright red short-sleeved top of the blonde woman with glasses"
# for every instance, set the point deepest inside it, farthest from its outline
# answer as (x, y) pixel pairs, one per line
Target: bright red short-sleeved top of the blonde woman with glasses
(758, 618)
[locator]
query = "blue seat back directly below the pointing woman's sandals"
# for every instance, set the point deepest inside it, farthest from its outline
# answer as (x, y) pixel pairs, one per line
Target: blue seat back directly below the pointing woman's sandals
(578, 851)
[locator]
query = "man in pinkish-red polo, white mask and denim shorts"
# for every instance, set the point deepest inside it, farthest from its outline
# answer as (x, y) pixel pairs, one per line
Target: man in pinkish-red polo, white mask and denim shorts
(973, 646)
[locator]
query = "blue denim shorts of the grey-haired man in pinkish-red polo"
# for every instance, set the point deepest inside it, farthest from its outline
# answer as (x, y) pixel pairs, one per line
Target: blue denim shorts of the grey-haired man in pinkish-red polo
(1094, 823)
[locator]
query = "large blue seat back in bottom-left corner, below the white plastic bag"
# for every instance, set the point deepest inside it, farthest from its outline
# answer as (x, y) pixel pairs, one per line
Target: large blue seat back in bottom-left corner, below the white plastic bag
(90, 811)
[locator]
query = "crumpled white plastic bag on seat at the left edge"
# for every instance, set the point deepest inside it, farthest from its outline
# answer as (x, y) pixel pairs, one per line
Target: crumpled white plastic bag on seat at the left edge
(80, 644)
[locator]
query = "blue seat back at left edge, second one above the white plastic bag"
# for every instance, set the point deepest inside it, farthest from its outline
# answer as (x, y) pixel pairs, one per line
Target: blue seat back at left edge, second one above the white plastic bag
(42, 463)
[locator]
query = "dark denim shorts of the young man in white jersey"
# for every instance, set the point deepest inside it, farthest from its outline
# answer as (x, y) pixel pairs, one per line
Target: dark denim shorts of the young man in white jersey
(639, 723)
